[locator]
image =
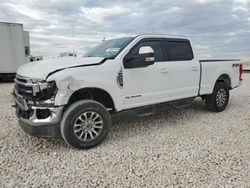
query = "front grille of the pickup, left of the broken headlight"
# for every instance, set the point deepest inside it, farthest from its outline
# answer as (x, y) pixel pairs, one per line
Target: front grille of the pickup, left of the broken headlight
(23, 87)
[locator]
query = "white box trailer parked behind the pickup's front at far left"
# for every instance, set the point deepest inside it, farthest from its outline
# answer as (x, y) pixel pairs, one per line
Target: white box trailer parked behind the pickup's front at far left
(14, 48)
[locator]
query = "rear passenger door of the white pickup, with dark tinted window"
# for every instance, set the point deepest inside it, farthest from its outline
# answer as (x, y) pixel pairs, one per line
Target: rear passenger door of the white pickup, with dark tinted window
(184, 70)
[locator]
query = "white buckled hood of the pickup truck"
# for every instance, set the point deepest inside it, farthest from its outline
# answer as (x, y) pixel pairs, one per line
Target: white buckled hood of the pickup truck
(42, 69)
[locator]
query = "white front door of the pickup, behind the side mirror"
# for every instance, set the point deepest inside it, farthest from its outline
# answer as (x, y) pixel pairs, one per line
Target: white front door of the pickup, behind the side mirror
(147, 85)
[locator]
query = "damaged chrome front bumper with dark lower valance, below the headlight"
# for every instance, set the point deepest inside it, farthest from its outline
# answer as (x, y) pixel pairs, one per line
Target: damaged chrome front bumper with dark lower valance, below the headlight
(40, 121)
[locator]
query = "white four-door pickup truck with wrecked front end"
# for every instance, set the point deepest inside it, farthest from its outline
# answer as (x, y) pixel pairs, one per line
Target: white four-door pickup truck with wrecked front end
(75, 96)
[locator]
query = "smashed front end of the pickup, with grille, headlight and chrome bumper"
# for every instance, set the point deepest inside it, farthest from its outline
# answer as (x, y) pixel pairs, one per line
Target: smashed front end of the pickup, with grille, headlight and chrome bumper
(35, 107)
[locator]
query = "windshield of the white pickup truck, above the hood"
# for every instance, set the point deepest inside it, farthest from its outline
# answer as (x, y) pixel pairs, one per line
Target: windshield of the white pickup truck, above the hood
(110, 48)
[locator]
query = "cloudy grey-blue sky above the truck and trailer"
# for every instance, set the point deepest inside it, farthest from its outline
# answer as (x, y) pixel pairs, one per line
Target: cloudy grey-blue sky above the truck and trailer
(217, 28)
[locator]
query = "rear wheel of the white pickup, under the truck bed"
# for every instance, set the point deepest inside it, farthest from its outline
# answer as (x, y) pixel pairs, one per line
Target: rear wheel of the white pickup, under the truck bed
(214, 102)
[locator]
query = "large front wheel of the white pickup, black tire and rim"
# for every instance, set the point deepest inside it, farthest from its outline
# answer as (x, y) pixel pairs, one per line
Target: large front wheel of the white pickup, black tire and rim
(79, 111)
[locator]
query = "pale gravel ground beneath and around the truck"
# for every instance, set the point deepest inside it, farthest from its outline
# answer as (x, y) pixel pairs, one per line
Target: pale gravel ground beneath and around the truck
(187, 147)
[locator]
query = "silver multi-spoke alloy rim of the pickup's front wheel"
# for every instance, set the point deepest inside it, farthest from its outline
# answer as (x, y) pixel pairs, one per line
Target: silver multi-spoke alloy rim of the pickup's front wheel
(88, 126)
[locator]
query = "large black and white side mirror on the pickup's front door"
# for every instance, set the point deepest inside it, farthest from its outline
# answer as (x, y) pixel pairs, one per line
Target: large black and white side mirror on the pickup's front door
(143, 59)
